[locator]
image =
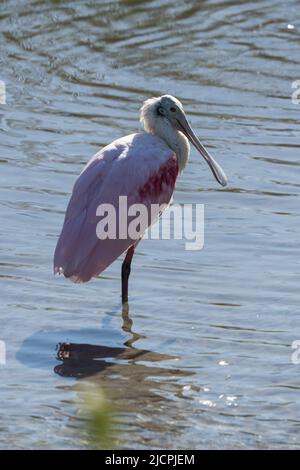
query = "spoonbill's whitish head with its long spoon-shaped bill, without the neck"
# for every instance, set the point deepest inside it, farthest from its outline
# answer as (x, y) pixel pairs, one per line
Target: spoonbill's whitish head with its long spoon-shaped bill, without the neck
(169, 109)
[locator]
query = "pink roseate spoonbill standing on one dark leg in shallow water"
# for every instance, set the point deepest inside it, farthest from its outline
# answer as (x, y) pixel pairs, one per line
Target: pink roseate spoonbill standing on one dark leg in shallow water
(144, 167)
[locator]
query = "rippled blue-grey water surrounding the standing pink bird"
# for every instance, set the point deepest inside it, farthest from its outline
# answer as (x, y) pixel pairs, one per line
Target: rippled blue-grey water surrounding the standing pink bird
(209, 364)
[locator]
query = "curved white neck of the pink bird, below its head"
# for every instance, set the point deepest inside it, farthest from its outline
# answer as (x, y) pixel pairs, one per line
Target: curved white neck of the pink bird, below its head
(174, 139)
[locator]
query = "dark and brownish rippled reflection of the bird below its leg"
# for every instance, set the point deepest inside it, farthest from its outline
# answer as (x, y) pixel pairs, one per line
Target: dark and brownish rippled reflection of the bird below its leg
(147, 394)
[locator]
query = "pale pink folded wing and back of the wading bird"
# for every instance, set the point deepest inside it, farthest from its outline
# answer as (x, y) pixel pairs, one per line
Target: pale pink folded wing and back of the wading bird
(139, 166)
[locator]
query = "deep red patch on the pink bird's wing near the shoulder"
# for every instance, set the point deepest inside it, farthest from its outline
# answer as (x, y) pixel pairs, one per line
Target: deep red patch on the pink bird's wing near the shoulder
(166, 176)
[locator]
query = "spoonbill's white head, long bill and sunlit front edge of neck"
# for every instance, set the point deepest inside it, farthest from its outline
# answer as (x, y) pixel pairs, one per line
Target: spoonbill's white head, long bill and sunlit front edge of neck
(164, 116)
